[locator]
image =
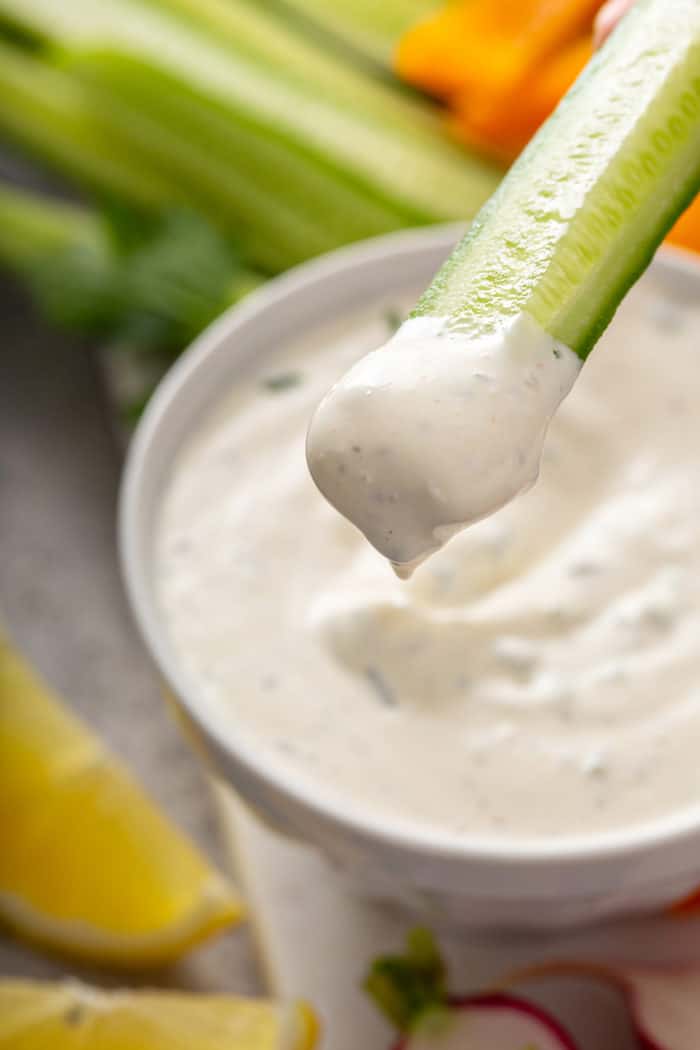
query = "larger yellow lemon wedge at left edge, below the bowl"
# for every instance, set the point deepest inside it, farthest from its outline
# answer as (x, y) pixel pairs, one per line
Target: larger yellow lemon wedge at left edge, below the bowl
(88, 864)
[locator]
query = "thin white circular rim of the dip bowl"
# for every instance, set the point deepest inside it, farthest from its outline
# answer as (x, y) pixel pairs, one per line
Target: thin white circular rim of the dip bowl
(383, 831)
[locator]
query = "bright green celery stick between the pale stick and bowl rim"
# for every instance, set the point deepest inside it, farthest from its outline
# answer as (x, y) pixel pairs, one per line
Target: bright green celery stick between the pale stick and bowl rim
(283, 206)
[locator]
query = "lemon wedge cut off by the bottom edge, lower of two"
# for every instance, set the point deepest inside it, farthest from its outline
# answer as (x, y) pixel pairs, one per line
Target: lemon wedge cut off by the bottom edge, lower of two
(37, 1016)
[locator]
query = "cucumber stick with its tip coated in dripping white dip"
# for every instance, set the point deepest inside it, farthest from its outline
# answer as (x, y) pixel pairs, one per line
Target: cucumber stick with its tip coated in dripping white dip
(447, 425)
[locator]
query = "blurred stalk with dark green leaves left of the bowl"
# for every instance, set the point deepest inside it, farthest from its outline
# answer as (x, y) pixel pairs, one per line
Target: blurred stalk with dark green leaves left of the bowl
(150, 283)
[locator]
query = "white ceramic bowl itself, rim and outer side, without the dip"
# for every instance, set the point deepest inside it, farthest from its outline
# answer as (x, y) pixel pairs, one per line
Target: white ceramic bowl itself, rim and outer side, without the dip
(539, 885)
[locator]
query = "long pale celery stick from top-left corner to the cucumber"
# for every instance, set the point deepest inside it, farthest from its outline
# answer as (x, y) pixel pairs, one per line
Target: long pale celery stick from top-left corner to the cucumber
(360, 130)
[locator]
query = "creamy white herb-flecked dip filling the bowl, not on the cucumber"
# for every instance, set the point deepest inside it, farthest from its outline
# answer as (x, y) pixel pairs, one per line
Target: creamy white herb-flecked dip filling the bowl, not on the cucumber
(539, 677)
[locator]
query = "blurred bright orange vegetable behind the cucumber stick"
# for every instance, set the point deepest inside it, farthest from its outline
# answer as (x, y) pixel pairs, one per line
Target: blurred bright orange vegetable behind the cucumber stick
(502, 68)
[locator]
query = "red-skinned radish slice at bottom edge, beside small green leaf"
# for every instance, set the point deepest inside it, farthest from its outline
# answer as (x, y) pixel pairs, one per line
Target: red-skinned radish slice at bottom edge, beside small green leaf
(492, 1023)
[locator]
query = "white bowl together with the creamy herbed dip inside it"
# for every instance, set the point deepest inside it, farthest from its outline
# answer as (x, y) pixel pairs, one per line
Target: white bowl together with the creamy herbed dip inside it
(512, 738)
